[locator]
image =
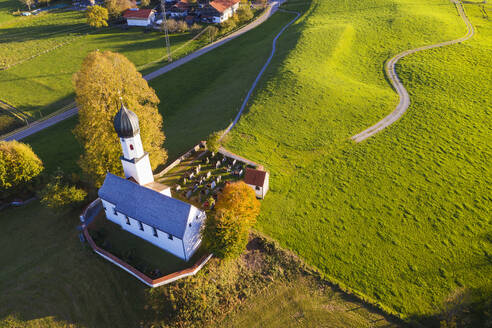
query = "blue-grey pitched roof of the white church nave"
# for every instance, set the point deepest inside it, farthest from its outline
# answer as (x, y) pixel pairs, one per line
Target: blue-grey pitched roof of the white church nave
(167, 214)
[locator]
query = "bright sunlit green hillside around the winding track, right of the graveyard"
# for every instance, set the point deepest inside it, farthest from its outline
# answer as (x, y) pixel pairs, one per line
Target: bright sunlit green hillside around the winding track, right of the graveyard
(402, 217)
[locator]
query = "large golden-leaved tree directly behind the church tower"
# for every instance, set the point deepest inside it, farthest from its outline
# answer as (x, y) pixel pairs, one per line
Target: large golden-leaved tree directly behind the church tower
(102, 79)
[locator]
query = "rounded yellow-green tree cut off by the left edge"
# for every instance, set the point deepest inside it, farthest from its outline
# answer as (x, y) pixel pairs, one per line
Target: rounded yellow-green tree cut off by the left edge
(19, 165)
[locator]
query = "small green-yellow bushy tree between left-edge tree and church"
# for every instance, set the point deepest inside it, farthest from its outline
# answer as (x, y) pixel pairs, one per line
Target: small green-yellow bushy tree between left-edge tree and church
(59, 194)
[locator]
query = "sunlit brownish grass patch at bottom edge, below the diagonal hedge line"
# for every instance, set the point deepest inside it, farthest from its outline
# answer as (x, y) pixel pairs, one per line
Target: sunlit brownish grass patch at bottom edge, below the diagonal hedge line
(303, 303)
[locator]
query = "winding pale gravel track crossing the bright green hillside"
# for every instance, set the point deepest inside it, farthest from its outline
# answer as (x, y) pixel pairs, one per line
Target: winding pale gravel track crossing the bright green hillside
(400, 89)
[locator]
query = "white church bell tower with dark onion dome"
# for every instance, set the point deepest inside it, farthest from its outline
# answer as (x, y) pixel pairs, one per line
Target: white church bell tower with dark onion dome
(135, 160)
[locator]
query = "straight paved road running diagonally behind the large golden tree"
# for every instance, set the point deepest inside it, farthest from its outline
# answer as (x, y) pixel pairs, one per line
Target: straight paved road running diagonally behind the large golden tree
(41, 125)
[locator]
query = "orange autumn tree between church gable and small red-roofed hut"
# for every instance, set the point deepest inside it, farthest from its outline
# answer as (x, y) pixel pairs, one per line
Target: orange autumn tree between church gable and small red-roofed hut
(226, 233)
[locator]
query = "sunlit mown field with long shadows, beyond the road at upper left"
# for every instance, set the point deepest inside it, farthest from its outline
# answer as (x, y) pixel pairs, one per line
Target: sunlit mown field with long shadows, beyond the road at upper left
(40, 85)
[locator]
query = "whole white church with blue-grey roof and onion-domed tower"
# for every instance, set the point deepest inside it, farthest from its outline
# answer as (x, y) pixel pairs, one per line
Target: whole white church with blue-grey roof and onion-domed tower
(144, 207)
